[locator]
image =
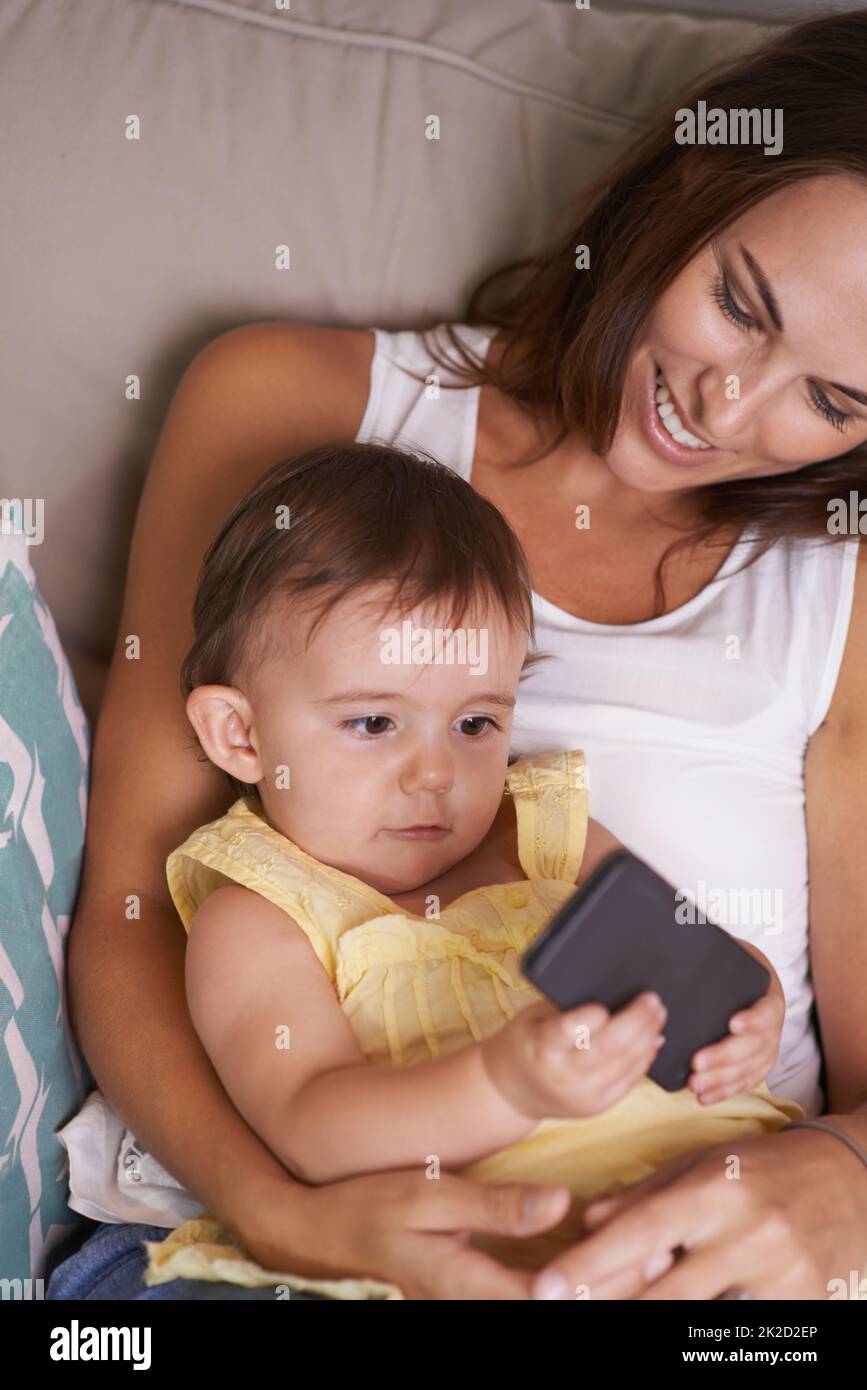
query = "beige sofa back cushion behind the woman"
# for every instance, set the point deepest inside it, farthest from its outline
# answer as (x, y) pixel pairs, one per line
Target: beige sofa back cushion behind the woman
(263, 127)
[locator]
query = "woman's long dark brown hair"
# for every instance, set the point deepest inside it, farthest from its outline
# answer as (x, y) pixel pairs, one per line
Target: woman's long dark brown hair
(644, 220)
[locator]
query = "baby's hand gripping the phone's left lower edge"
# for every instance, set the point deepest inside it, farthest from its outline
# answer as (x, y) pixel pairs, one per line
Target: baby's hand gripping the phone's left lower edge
(568, 1065)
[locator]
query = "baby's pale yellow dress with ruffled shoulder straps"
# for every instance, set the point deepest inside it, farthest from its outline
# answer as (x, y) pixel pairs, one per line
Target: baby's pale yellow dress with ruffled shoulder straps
(416, 989)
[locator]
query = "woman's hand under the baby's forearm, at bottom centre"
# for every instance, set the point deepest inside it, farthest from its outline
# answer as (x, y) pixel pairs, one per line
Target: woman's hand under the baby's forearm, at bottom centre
(404, 1229)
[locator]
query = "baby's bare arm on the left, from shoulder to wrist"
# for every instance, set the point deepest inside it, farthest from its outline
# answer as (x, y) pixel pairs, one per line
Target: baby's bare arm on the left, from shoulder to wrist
(274, 1029)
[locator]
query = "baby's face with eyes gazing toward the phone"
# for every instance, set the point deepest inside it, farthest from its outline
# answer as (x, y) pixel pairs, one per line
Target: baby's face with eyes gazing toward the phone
(374, 744)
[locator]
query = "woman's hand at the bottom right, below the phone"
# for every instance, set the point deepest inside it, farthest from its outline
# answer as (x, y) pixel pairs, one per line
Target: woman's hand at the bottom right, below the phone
(791, 1223)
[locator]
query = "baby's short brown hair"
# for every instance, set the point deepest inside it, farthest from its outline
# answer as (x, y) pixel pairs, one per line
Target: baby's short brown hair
(355, 515)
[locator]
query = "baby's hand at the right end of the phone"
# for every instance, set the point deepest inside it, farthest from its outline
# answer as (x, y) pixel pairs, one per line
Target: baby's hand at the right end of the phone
(744, 1060)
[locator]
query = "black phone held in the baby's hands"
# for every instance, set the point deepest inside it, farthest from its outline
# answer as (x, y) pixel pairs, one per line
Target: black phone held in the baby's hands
(622, 935)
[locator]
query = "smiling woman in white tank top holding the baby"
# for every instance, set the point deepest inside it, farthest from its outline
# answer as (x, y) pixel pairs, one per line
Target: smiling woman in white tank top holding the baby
(741, 279)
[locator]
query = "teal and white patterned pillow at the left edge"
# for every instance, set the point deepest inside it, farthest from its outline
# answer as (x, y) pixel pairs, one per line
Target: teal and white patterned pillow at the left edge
(45, 753)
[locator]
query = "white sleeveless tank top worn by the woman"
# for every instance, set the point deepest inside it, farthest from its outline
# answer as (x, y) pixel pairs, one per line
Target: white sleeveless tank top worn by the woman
(695, 725)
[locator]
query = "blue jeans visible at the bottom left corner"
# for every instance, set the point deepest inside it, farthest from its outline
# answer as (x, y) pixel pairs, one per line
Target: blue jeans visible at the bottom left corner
(110, 1266)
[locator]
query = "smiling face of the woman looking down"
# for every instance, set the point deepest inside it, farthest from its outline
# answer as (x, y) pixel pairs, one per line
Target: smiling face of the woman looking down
(761, 393)
